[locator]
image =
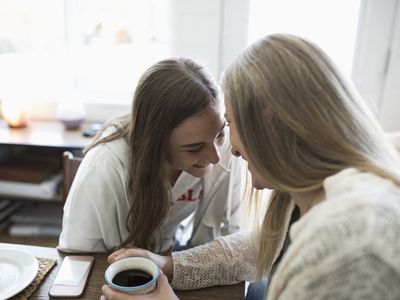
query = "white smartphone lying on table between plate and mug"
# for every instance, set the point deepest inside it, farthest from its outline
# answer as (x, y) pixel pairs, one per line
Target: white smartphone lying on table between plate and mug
(72, 276)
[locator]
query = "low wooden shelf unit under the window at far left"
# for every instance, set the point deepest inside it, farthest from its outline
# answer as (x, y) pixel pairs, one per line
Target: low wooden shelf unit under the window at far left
(31, 172)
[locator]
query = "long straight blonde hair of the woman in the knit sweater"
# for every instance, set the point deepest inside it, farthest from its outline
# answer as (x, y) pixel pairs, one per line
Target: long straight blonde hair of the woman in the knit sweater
(300, 121)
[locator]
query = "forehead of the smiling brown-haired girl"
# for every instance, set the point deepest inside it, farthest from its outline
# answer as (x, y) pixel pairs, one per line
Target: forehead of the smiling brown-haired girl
(198, 128)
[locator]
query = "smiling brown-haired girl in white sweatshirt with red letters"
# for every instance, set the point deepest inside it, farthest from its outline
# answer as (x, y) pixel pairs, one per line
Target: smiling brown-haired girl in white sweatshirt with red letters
(147, 171)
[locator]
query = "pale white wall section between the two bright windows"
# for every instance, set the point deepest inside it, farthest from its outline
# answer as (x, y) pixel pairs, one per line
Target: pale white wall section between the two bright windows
(211, 32)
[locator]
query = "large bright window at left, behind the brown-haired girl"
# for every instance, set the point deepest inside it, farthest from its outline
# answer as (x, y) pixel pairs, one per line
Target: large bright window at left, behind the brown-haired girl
(94, 50)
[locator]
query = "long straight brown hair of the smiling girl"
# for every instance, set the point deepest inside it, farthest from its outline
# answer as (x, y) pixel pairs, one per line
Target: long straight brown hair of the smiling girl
(168, 92)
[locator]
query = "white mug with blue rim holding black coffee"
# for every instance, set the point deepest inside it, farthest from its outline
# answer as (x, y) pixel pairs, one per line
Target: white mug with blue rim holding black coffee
(133, 263)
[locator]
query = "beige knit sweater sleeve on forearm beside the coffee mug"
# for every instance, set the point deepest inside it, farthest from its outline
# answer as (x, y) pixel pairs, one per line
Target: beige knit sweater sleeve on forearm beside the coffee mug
(227, 260)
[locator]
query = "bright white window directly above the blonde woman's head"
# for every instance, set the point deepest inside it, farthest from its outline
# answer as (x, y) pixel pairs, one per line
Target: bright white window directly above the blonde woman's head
(330, 24)
